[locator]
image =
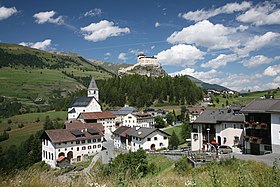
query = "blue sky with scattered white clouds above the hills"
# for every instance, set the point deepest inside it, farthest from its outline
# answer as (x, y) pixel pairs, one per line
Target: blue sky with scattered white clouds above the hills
(232, 43)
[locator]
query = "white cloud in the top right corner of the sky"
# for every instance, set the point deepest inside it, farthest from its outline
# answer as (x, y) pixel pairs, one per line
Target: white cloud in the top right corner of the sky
(262, 14)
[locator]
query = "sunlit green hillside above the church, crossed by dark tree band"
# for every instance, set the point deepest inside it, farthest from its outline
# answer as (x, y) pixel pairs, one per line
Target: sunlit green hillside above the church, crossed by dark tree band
(23, 81)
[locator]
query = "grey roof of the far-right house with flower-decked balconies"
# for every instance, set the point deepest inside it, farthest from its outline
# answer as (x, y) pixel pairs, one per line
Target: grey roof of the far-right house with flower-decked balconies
(262, 106)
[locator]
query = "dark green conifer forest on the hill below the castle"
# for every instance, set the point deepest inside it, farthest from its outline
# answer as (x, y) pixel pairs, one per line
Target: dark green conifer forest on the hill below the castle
(143, 91)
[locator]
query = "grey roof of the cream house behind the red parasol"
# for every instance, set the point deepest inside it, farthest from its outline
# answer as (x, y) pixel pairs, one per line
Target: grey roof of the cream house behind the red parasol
(213, 116)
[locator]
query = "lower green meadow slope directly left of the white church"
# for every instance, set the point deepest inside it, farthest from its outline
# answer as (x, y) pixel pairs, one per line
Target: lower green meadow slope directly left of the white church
(18, 135)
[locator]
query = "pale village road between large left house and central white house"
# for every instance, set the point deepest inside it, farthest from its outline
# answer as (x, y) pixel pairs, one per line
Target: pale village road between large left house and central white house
(108, 151)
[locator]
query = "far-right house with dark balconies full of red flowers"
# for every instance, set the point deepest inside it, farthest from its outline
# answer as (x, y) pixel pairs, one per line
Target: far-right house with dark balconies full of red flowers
(262, 126)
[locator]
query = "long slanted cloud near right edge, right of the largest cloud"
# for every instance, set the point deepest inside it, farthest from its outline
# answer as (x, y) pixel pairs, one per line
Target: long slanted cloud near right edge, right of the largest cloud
(257, 42)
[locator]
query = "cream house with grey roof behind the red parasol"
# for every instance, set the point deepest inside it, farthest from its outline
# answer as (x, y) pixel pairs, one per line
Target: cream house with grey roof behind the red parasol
(217, 126)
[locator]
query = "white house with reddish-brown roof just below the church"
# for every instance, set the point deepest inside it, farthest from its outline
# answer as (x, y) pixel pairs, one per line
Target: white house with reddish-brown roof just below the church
(106, 118)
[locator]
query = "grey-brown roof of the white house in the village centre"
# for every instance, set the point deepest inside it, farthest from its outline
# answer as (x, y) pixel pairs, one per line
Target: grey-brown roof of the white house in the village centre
(142, 132)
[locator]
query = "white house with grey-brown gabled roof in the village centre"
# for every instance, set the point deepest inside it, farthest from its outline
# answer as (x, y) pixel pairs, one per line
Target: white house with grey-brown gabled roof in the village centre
(140, 137)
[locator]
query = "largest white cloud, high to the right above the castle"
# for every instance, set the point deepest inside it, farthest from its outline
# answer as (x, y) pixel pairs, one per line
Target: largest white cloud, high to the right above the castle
(205, 34)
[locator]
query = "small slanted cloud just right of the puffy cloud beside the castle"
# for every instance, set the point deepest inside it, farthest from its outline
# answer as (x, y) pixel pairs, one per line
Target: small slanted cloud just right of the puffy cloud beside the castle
(221, 60)
